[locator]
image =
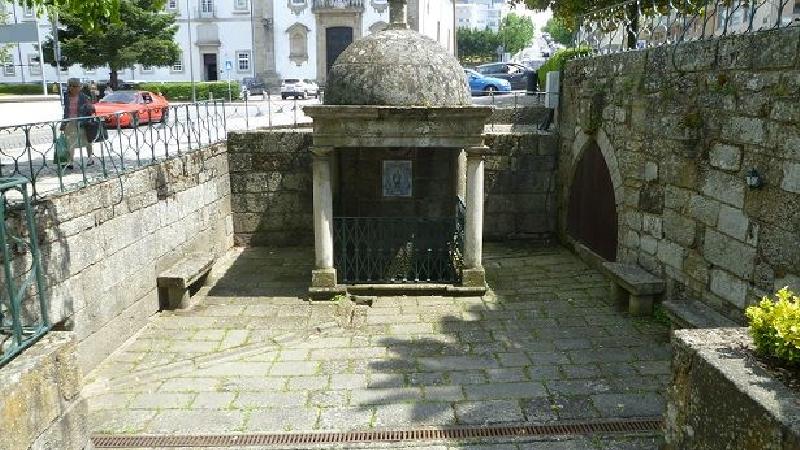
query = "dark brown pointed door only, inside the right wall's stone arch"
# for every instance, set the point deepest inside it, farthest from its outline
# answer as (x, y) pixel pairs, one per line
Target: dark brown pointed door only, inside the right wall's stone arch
(592, 213)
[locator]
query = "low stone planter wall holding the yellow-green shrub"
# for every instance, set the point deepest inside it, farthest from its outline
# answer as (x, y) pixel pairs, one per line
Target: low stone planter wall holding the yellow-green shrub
(720, 398)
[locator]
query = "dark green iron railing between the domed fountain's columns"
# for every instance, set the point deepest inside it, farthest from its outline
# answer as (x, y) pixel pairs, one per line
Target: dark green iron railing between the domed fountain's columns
(399, 249)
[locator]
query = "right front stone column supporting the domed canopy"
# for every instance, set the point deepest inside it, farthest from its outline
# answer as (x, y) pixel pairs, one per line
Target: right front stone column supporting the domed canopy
(474, 274)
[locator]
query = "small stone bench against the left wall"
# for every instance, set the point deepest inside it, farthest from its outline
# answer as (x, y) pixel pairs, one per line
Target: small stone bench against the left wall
(174, 283)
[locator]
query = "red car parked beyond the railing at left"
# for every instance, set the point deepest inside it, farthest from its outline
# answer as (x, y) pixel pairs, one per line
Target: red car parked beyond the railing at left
(133, 108)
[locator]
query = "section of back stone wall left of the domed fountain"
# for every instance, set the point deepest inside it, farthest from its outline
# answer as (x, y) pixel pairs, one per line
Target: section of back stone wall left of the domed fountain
(271, 187)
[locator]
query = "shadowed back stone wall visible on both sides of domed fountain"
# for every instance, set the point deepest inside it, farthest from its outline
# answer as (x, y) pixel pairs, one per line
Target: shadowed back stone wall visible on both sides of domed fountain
(272, 194)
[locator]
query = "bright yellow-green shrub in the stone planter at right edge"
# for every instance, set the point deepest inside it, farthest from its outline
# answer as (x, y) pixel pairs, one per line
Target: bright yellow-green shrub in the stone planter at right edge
(775, 326)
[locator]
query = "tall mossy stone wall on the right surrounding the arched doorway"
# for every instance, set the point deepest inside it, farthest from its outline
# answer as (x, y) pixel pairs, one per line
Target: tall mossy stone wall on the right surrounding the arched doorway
(679, 127)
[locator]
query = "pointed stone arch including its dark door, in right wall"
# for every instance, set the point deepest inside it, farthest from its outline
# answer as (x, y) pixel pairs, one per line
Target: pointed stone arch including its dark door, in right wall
(594, 202)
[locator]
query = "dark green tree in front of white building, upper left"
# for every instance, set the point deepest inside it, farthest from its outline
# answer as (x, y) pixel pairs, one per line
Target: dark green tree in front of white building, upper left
(144, 34)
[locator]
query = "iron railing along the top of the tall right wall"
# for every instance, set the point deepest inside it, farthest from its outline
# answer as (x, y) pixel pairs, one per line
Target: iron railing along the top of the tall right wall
(639, 24)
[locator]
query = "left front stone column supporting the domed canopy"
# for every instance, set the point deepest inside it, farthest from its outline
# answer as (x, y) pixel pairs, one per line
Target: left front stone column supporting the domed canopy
(323, 275)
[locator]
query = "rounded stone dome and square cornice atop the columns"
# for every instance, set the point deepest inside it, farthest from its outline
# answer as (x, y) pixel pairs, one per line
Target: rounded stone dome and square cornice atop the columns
(397, 88)
